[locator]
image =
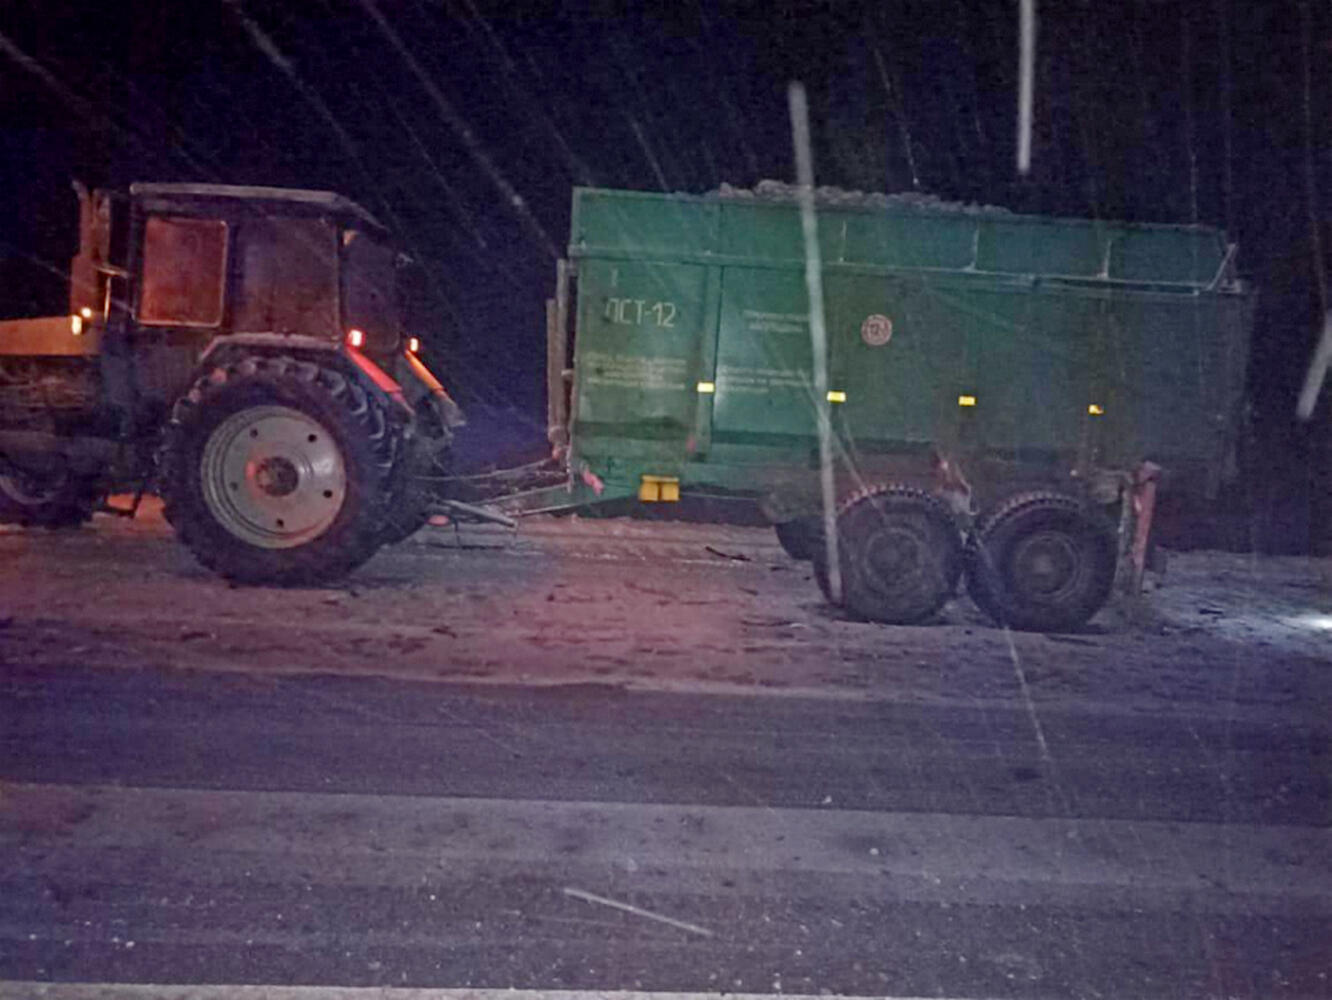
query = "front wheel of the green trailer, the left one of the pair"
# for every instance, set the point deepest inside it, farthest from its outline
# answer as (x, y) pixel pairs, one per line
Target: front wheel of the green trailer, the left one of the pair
(900, 552)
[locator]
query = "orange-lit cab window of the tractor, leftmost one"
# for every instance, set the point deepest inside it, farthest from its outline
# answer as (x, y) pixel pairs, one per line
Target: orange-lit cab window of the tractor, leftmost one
(184, 274)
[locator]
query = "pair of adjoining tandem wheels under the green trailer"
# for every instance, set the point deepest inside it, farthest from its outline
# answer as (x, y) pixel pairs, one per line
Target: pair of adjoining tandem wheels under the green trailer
(1040, 563)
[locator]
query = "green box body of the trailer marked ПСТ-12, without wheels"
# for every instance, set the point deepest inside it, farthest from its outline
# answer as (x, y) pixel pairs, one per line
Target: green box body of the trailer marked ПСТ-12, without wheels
(1036, 348)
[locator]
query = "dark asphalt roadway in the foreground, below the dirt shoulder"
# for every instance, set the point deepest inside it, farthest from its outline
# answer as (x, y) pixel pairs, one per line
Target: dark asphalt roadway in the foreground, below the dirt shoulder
(360, 832)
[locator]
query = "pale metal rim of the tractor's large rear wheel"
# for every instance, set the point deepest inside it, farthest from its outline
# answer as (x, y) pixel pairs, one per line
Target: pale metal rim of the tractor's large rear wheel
(274, 477)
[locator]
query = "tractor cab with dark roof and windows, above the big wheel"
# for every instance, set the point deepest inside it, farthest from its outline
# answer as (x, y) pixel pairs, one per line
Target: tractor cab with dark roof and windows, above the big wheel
(174, 267)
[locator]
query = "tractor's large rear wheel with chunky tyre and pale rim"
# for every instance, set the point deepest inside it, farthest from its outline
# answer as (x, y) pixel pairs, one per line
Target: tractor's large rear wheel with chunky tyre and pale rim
(279, 471)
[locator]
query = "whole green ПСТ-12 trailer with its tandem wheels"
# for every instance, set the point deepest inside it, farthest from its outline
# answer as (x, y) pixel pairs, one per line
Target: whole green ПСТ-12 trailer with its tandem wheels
(1001, 387)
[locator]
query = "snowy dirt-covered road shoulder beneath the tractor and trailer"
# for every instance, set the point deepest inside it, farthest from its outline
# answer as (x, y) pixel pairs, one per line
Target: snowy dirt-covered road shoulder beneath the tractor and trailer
(660, 605)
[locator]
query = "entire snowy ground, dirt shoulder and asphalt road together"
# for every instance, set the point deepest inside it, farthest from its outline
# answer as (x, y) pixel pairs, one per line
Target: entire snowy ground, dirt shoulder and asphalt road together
(647, 757)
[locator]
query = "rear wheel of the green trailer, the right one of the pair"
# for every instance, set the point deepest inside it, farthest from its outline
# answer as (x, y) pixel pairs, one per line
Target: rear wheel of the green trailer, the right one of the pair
(1042, 563)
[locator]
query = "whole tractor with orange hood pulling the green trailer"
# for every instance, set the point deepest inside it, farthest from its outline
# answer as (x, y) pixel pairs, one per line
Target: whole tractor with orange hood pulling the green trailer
(240, 352)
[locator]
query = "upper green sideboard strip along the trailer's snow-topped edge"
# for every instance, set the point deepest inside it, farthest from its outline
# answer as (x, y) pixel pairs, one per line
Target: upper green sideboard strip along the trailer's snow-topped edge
(905, 232)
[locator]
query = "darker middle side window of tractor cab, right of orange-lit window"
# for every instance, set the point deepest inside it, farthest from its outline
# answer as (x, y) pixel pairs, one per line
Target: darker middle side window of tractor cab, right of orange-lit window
(287, 278)
